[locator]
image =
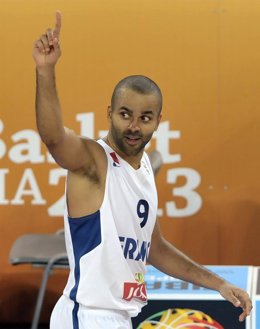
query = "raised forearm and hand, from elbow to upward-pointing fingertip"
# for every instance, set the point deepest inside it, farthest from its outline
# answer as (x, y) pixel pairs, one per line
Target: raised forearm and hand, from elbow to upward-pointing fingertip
(46, 53)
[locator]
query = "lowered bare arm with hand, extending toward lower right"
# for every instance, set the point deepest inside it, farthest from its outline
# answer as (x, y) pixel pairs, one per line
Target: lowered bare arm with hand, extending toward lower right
(173, 262)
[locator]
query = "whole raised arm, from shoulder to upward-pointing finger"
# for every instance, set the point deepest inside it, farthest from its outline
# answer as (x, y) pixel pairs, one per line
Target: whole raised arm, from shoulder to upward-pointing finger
(69, 150)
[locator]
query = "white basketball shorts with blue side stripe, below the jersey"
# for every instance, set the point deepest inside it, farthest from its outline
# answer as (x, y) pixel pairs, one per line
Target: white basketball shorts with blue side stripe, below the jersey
(64, 316)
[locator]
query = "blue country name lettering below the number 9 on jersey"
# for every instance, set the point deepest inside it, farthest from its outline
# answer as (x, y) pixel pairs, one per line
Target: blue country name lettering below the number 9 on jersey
(134, 249)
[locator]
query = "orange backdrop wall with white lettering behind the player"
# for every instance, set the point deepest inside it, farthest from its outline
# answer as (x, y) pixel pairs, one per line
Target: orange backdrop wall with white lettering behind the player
(204, 54)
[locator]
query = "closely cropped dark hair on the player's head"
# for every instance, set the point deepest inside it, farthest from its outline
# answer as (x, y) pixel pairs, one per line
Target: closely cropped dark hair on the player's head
(140, 84)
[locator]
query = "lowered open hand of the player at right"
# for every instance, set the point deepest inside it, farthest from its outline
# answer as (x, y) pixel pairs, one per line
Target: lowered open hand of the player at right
(238, 297)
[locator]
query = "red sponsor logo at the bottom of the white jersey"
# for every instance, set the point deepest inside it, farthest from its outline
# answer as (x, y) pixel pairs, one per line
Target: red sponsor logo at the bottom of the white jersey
(135, 290)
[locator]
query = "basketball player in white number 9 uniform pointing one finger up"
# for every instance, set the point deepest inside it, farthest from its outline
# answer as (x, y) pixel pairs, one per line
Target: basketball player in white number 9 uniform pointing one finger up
(110, 218)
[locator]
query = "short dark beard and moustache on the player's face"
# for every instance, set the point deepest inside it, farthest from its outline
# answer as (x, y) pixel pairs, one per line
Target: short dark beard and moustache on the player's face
(120, 140)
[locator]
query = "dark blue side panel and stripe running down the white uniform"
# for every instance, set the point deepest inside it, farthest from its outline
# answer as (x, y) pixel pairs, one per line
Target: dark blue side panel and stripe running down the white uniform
(85, 236)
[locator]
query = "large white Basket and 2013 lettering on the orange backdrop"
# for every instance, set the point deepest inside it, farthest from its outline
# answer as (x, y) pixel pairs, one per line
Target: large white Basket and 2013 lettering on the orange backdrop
(26, 148)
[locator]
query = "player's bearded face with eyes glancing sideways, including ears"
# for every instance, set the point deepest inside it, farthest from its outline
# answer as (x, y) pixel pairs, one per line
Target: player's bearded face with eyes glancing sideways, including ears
(134, 119)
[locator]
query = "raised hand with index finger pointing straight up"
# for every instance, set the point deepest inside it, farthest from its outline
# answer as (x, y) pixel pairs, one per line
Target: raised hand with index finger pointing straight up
(46, 51)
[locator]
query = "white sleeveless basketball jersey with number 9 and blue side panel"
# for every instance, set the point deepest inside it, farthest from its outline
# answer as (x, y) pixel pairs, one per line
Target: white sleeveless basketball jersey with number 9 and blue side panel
(108, 249)
